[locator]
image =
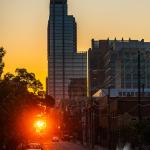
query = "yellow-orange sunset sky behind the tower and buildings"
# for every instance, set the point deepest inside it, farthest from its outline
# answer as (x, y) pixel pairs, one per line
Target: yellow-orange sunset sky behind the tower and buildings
(23, 27)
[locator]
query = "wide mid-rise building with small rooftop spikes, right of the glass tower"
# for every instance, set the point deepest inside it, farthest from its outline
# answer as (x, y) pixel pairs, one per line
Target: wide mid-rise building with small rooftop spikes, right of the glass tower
(118, 64)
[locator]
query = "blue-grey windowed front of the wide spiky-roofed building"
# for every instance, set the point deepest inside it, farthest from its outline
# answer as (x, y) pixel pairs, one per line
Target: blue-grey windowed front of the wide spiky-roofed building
(121, 64)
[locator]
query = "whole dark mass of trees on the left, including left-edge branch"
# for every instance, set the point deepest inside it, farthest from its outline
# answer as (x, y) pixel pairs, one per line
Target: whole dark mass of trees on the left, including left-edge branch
(21, 96)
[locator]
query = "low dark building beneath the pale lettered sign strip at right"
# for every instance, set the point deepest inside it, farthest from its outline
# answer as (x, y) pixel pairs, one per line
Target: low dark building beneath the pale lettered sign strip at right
(114, 122)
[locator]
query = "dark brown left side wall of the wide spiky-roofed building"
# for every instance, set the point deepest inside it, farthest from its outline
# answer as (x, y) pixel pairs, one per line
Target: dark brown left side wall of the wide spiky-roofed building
(96, 63)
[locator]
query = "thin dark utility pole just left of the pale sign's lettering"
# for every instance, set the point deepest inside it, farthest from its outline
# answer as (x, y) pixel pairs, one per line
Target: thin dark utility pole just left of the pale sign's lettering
(109, 120)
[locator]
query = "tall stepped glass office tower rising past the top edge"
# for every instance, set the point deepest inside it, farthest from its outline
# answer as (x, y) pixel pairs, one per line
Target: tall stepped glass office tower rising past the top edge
(64, 63)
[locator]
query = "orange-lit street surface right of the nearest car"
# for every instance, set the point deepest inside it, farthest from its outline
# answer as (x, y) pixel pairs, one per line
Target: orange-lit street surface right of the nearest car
(63, 146)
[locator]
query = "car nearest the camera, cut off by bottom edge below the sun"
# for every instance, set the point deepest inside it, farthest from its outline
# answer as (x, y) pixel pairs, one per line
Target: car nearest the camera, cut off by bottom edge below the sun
(33, 146)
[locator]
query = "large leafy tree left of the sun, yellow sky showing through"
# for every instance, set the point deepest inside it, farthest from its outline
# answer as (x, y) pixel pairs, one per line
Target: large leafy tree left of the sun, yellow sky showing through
(15, 98)
